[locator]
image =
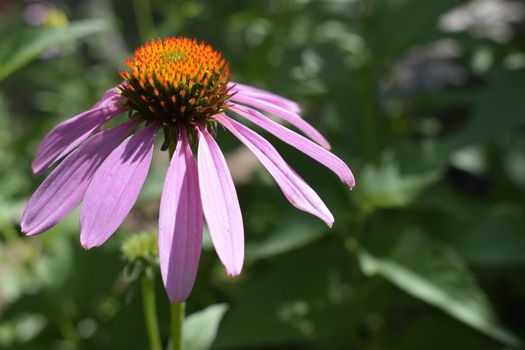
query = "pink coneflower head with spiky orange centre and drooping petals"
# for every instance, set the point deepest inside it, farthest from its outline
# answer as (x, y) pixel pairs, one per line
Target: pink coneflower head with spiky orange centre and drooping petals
(182, 88)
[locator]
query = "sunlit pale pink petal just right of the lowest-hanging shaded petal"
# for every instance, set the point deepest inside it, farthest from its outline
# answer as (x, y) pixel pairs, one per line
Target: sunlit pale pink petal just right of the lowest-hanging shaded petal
(220, 204)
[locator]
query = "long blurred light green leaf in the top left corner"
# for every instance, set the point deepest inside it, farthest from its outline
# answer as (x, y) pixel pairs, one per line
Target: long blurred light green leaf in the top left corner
(22, 47)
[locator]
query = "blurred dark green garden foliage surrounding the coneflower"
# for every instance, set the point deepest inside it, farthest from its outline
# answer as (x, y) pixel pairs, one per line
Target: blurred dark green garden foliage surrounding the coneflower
(423, 99)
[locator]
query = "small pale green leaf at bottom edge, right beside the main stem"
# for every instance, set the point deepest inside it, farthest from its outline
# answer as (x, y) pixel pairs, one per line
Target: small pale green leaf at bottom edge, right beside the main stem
(200, 328)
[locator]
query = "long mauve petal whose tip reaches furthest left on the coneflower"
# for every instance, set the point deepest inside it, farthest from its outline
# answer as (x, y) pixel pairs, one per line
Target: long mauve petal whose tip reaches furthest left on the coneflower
(64, 188)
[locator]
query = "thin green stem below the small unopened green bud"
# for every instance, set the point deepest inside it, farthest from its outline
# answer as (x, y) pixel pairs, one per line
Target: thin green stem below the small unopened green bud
(150, 311)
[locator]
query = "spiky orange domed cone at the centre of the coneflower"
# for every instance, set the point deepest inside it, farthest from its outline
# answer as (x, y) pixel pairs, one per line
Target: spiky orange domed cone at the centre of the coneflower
(176, 80)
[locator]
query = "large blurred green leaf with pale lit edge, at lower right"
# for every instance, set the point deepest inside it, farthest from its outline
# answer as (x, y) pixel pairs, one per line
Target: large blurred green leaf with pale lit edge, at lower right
(432, 272)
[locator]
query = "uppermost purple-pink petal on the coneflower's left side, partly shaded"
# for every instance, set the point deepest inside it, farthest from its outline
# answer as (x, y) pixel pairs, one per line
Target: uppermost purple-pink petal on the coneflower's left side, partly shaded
(67, 135)
